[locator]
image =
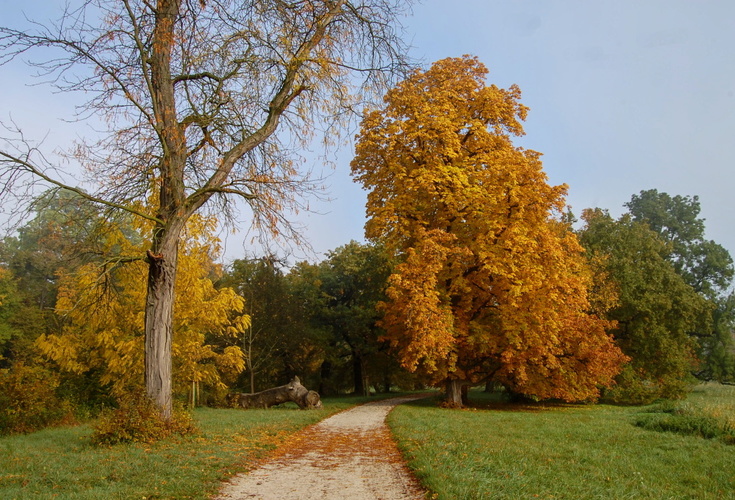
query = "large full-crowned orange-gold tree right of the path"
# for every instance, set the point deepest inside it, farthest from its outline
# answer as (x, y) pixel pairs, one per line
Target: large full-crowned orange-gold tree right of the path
(492, 284)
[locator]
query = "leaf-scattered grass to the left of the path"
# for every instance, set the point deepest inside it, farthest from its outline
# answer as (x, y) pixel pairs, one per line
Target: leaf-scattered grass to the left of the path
(62, 463)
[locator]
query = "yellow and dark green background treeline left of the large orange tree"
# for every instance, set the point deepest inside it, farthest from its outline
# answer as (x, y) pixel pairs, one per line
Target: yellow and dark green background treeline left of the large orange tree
(72, 283)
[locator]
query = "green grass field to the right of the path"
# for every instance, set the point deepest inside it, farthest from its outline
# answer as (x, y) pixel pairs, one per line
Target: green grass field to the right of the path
(499, 451)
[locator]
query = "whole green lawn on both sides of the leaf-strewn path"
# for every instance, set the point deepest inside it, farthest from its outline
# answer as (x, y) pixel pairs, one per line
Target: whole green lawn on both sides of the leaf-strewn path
(496, 451)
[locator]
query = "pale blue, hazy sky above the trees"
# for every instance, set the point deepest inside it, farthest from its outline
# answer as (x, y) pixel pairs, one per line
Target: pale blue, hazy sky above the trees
(623, 96)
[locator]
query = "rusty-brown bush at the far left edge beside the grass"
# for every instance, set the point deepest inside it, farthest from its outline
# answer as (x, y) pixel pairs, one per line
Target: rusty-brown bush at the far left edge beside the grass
(28, 400)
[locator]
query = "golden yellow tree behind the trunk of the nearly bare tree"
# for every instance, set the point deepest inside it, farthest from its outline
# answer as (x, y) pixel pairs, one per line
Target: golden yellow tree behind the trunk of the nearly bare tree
(104, 309)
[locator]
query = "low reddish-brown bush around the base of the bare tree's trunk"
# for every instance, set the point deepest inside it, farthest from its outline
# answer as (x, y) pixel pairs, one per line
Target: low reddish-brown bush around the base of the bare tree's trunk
(137, 419)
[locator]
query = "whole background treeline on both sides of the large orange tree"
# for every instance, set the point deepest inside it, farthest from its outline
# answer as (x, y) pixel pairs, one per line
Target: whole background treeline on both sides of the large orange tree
(72, 291)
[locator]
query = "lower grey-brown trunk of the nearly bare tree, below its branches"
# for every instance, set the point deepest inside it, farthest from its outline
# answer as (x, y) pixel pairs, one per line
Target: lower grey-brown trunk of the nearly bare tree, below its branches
(159, 326)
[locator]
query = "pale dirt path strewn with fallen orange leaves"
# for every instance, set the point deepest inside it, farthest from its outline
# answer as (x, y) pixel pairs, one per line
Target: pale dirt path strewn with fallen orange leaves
(350, 455)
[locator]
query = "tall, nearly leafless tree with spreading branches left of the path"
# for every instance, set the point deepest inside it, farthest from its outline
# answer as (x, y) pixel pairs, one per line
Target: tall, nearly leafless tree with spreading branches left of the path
(194, 94)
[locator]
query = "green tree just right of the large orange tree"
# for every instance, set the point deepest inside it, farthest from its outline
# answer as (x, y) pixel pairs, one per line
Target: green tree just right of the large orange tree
(656, 309)
